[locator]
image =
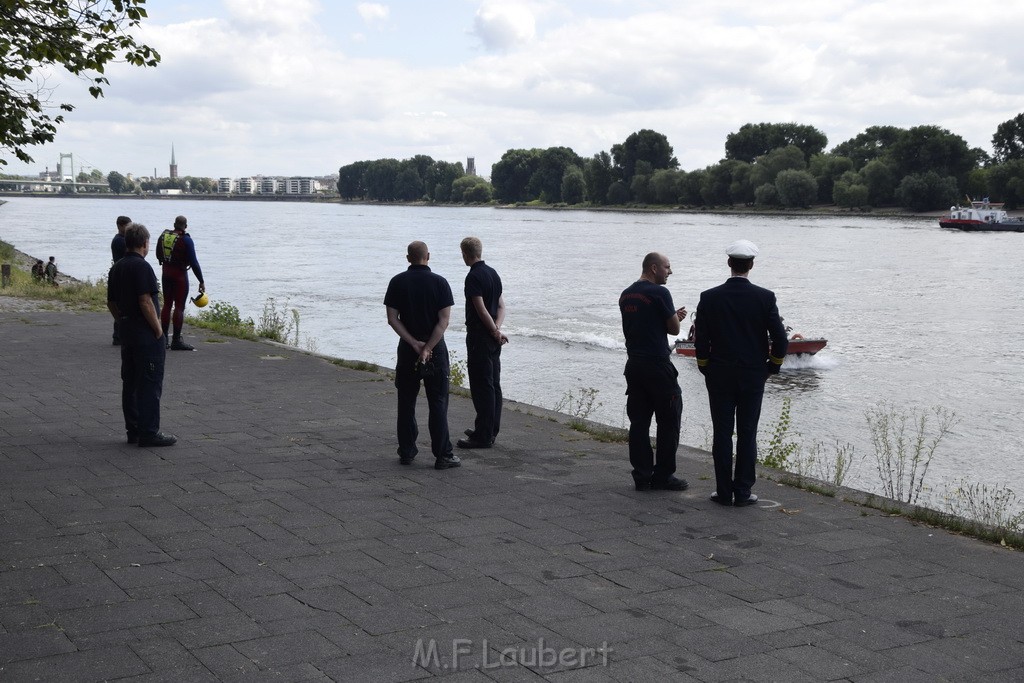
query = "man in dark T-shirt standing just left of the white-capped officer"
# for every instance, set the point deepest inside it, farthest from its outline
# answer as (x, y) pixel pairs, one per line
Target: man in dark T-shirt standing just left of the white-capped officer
(652, 385)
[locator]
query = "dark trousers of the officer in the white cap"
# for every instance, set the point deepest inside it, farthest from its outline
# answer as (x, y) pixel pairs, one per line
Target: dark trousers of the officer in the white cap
(735, 398)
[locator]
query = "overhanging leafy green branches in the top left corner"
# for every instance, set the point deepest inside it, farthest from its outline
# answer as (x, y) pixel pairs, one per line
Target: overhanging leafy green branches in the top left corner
(80, 36)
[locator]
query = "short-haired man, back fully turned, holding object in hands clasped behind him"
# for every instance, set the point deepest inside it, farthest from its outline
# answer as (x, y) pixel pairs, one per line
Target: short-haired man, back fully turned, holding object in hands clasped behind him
(419, 308)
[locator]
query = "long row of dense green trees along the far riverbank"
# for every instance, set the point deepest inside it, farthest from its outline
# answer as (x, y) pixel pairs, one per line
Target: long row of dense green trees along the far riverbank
(786, 165)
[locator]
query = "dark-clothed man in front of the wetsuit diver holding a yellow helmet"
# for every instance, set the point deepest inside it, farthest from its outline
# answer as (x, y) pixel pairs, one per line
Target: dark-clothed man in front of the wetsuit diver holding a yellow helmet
(133, 297)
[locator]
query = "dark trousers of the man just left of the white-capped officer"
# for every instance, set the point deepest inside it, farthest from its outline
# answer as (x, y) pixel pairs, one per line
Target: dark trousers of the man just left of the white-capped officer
(653, 392)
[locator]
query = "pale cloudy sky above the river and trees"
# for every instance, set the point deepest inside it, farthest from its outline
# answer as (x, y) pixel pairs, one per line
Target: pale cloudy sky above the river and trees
(303, 88)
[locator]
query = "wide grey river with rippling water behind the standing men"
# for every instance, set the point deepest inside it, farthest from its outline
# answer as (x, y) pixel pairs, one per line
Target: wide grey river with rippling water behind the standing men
(915, 315)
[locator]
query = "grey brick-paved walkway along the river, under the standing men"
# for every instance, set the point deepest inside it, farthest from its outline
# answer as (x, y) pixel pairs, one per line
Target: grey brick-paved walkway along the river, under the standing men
(281, 541)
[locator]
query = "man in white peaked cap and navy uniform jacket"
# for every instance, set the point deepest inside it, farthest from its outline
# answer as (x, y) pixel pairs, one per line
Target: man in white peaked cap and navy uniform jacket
(735, 323)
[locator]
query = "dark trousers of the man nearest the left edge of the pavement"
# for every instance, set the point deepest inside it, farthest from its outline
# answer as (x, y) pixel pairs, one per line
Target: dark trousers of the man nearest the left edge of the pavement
(143, 359)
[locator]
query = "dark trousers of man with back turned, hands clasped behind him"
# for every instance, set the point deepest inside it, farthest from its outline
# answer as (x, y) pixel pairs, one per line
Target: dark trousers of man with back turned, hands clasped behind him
(408, 381)
